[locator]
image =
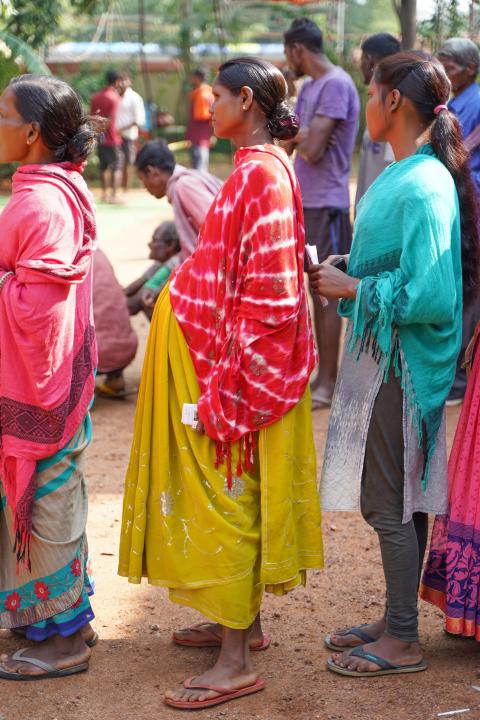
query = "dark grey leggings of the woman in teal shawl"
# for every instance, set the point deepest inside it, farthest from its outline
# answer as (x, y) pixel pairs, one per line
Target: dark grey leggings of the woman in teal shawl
(402, 545)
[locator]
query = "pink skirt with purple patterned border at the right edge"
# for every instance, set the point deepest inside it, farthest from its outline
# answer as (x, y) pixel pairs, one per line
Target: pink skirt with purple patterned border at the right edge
(451, 579)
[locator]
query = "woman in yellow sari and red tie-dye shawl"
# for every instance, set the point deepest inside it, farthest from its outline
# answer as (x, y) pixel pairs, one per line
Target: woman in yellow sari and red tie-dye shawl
(220, 512)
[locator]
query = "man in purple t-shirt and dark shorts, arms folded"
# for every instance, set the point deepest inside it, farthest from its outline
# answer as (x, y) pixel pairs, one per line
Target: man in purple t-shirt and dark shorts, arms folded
(328, 107)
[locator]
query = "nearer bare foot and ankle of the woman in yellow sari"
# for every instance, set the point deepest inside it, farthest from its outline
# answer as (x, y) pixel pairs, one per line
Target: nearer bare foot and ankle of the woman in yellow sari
(232, 671)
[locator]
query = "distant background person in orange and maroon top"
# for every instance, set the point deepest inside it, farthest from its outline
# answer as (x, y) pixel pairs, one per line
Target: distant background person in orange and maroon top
(199, 127)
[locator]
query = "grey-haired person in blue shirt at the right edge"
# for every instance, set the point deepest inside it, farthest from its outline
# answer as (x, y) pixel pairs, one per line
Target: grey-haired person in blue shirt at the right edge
(461, 60)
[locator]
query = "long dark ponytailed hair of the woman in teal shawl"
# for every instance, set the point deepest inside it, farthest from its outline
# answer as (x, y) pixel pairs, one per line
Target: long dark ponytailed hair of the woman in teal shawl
(422, 80)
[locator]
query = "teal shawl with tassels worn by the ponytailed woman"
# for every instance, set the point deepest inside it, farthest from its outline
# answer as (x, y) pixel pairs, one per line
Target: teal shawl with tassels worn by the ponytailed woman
(406, 251)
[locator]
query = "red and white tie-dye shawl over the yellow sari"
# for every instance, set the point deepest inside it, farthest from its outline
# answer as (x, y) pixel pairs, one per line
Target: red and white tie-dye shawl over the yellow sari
(241, 303)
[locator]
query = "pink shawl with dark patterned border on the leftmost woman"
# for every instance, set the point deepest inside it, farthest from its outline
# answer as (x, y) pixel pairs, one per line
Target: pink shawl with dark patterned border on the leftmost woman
(47, 340)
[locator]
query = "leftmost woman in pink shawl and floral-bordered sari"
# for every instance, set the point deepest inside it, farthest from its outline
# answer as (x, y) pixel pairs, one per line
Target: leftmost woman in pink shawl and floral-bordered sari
(47, 360)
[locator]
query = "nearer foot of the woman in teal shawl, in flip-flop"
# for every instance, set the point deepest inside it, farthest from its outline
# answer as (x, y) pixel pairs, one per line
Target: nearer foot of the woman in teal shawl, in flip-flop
(394, 651)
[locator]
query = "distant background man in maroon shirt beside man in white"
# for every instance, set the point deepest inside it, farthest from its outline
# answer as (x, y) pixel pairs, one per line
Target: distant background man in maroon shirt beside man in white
(106, 103)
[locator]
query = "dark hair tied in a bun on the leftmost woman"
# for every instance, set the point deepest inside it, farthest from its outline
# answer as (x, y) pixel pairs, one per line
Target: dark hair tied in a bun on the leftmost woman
(57, 110)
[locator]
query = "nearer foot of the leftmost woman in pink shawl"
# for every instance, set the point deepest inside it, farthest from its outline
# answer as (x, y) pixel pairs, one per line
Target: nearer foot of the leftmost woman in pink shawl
(57, 651)
